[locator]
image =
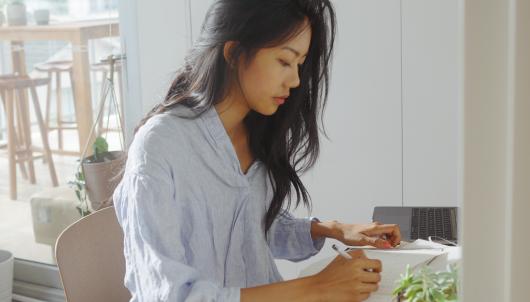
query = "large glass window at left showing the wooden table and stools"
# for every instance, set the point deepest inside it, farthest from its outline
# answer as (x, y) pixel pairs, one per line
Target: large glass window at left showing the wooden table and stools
(32, 215)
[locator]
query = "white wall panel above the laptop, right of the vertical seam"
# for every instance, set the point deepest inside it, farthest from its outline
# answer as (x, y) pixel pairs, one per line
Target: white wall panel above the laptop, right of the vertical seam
(430, 102)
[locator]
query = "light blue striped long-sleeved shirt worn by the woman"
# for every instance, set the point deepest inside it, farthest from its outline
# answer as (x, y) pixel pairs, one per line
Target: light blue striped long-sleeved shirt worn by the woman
(192, 219)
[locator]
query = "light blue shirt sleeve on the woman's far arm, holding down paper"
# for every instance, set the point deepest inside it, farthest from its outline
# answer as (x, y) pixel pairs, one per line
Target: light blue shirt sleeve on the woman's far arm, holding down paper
(290, 238)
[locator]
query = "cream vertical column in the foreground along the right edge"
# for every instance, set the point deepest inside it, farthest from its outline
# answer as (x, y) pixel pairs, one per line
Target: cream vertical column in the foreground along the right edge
(496, 167)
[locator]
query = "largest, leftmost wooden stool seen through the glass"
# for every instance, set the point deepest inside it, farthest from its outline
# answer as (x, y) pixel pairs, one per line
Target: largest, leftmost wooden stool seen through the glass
(13, 92)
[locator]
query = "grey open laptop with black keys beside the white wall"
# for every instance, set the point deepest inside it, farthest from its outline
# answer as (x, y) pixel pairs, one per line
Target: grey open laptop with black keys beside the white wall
(421, 222)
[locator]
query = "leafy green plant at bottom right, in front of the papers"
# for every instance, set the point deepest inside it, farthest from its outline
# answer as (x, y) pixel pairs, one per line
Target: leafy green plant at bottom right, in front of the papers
(428, 286)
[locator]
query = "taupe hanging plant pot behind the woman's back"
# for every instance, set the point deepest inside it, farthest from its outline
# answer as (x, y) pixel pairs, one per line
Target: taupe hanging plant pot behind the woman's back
(101, 178)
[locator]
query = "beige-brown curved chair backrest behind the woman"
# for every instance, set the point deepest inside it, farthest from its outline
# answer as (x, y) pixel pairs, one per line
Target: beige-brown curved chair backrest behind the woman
(90, 259)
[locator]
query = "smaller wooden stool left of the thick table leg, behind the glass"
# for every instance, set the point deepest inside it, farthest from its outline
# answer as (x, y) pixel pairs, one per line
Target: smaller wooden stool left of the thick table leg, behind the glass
(57, 68)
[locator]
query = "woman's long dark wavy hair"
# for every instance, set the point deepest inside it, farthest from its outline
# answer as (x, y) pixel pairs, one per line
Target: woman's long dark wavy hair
(288, 141)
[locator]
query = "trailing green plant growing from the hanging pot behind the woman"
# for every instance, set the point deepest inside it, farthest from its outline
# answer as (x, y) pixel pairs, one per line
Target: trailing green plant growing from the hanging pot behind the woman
(101, 153)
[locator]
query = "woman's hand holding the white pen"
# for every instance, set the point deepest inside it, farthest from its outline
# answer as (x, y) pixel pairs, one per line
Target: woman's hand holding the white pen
(348, 280)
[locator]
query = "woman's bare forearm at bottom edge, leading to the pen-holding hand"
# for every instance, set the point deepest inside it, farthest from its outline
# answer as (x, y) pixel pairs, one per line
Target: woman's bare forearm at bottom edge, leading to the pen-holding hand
(302, 289)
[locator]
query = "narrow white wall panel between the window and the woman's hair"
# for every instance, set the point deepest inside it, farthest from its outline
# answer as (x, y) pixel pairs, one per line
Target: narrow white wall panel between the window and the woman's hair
(155, 37)
